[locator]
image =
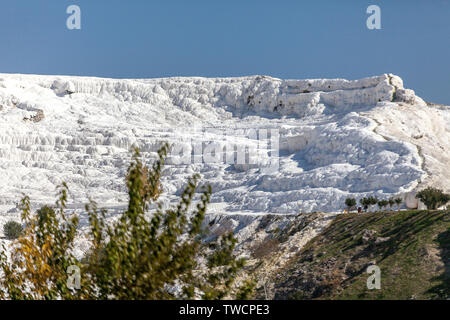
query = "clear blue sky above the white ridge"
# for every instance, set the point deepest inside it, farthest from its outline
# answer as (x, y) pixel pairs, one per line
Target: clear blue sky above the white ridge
(285, 39)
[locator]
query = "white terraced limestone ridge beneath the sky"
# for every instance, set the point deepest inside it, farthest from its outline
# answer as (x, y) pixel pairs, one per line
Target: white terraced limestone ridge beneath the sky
(338, 138)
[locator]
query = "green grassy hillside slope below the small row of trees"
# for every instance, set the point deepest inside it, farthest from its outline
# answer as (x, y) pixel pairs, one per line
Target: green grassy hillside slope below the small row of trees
(411, 248)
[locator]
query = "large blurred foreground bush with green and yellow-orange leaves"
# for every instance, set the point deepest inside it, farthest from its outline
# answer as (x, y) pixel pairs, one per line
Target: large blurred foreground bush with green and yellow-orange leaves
(143, 255)
